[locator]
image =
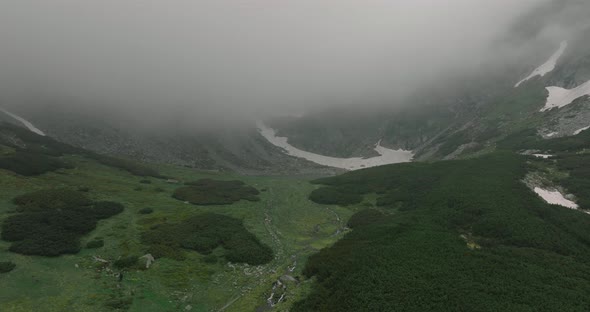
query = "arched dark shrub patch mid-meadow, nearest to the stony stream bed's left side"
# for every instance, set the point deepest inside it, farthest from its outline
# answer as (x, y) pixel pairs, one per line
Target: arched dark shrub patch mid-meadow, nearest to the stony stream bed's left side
(206, 232)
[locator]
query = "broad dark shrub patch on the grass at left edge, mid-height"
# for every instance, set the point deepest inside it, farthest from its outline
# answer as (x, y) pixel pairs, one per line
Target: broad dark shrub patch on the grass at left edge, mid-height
(51, 222)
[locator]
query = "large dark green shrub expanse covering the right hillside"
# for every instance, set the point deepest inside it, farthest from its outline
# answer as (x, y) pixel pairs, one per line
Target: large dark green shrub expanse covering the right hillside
(464, 236)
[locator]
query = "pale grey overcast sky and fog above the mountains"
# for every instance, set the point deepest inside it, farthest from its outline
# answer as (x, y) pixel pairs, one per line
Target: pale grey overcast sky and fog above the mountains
(240, 57)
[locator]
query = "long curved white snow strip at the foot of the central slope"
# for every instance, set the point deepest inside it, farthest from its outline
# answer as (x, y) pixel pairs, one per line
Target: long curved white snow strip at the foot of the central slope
(387, 156)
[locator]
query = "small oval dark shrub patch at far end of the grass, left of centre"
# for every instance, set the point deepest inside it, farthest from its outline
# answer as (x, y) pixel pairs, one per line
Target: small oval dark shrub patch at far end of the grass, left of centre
(215, 192)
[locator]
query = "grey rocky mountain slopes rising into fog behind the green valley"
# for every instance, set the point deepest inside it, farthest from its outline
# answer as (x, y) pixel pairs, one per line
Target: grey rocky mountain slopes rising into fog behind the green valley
(539, 82)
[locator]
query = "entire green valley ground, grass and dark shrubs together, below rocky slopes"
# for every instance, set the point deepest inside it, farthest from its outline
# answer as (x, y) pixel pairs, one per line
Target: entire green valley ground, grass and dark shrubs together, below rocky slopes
(464, 235)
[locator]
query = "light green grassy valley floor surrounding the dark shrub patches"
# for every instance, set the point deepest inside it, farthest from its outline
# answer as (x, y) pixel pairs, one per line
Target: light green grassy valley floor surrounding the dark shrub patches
(284, 219)
